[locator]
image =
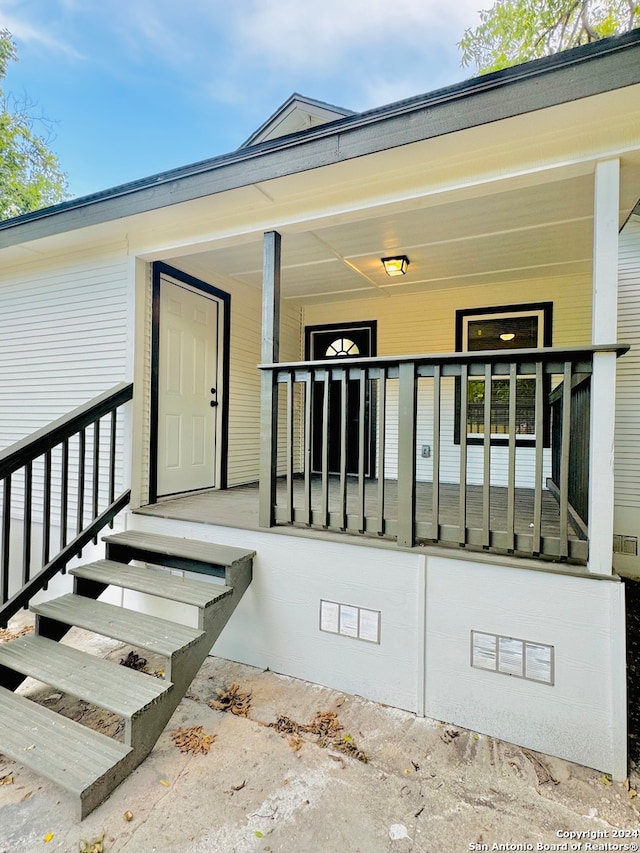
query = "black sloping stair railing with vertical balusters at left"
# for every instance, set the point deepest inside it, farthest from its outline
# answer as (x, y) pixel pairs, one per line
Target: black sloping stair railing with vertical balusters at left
(58, 492)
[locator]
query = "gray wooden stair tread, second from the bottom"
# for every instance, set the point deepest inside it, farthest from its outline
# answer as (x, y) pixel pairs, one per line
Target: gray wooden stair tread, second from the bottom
(108, 685)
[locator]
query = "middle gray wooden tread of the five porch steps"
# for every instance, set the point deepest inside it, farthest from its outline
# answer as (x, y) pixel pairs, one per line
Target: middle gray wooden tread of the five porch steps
(137, 629)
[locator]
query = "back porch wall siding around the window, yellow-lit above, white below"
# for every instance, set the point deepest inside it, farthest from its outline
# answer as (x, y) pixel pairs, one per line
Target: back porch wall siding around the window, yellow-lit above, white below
(425, 323)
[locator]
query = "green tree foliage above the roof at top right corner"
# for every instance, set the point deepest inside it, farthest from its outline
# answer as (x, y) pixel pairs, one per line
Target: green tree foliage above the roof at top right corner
(514, 31)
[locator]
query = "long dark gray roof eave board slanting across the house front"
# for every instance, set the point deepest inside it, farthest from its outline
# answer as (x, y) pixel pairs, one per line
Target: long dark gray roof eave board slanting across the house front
(583, 72)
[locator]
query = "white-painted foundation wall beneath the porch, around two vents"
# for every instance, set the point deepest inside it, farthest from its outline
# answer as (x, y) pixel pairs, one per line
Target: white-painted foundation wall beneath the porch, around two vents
(428, 607)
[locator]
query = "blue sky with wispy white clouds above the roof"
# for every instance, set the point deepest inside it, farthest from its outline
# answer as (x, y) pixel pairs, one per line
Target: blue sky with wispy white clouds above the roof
(139, 86)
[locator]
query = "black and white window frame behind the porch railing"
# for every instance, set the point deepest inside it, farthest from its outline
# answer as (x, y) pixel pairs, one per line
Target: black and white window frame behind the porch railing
(544, 311)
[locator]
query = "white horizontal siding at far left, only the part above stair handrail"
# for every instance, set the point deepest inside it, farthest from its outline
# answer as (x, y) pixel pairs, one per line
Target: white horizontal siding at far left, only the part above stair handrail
(63, 337)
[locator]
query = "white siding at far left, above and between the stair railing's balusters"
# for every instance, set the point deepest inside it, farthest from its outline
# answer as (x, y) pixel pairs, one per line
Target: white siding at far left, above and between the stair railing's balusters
(63, 340)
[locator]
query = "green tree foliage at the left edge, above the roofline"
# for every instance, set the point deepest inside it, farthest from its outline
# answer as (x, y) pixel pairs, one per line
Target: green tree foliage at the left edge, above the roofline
(30, 175)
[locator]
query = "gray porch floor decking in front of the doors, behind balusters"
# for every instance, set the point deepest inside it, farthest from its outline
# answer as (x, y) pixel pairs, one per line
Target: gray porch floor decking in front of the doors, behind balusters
(238, 507)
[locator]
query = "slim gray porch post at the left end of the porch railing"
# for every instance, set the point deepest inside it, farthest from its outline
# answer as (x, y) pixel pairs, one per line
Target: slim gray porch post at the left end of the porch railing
(270, 353)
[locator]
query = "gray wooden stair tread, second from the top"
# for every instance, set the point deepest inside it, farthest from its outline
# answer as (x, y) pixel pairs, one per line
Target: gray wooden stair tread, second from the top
(154, 582)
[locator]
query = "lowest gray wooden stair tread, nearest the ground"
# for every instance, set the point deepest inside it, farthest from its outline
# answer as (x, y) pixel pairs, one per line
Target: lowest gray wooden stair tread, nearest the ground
(68, 753)
